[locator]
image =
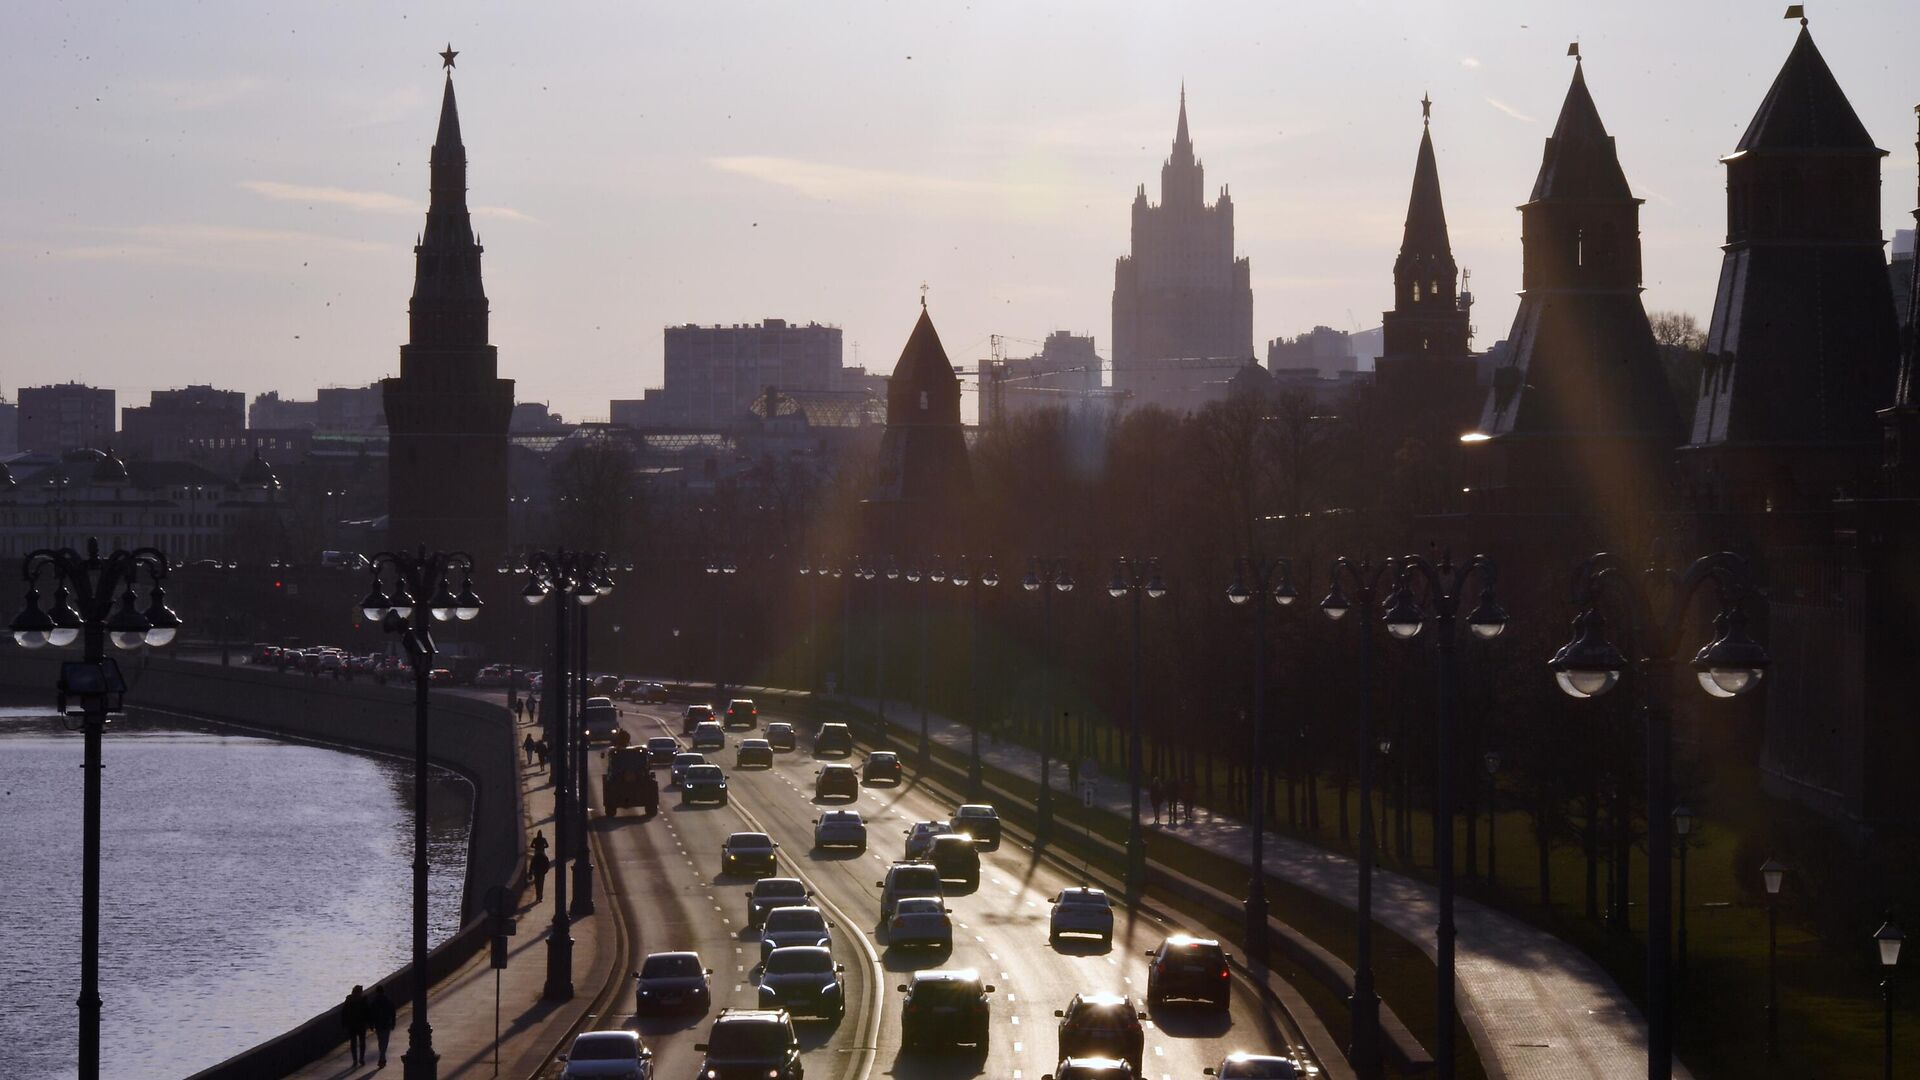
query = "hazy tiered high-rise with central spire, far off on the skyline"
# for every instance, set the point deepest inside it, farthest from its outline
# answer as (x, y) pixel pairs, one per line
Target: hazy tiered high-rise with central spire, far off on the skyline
(1182, 295)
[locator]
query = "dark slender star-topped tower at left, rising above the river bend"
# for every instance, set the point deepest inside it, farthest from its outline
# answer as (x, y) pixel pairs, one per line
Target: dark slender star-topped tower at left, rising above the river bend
(448, 410)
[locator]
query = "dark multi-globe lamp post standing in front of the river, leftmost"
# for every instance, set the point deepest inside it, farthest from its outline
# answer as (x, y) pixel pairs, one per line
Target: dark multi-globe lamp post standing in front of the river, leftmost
(95, 601)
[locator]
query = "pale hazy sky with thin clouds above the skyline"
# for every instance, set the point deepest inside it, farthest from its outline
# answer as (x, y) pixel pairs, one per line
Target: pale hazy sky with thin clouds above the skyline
(229, 193)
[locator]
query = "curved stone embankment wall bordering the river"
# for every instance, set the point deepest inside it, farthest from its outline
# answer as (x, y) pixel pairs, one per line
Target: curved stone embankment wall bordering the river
(468, 735)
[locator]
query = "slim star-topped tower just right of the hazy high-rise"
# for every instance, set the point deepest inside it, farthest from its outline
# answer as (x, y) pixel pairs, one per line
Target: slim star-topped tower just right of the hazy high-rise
(1426, 372)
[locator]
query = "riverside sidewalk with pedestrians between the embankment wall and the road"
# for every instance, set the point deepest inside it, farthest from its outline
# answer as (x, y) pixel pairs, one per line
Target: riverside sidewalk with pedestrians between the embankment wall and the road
(462, 1006)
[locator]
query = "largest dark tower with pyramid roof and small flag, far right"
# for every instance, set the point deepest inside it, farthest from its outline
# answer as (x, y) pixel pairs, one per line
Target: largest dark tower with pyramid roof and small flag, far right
(1804, 345)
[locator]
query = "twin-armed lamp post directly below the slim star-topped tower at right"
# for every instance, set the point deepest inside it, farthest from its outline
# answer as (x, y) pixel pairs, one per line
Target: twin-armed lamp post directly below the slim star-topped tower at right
(1404, 620)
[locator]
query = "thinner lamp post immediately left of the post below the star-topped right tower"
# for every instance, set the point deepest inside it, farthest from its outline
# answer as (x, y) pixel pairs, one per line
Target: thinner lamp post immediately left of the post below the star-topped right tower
(1366, 579)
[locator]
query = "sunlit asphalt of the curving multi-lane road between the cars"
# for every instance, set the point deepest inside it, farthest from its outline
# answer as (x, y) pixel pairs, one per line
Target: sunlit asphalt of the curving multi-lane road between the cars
(667, 871)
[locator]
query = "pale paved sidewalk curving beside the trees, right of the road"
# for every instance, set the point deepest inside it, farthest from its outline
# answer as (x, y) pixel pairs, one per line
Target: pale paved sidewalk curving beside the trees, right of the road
(1539, 1010)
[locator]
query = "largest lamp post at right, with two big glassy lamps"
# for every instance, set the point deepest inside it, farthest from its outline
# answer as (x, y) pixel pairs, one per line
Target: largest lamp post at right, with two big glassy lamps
(1591, 666)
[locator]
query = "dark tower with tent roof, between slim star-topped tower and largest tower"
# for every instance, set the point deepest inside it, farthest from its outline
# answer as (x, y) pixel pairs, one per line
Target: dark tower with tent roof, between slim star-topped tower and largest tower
(1579, 418)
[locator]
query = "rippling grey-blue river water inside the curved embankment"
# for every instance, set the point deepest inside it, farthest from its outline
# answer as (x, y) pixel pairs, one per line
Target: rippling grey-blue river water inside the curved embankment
(247, 885)
